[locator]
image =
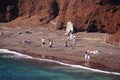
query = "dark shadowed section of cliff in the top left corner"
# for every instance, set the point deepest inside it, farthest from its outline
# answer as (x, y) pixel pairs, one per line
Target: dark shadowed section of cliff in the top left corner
(8, 10)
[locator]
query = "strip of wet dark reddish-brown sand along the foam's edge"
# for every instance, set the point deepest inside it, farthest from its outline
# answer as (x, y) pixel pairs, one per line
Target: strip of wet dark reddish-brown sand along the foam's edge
(90, 65)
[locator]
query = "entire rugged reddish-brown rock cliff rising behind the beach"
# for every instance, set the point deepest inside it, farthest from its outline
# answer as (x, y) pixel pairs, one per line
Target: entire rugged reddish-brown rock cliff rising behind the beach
(87, 15)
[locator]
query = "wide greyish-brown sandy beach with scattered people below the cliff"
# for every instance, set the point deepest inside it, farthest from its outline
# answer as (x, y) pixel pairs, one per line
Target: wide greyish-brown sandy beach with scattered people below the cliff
(15, 39)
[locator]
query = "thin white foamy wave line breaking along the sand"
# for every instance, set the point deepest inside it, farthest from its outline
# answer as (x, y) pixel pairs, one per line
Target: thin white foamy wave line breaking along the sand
(19, 55)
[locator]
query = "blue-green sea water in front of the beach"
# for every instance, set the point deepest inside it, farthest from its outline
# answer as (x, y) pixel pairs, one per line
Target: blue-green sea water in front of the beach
(13, 67)
